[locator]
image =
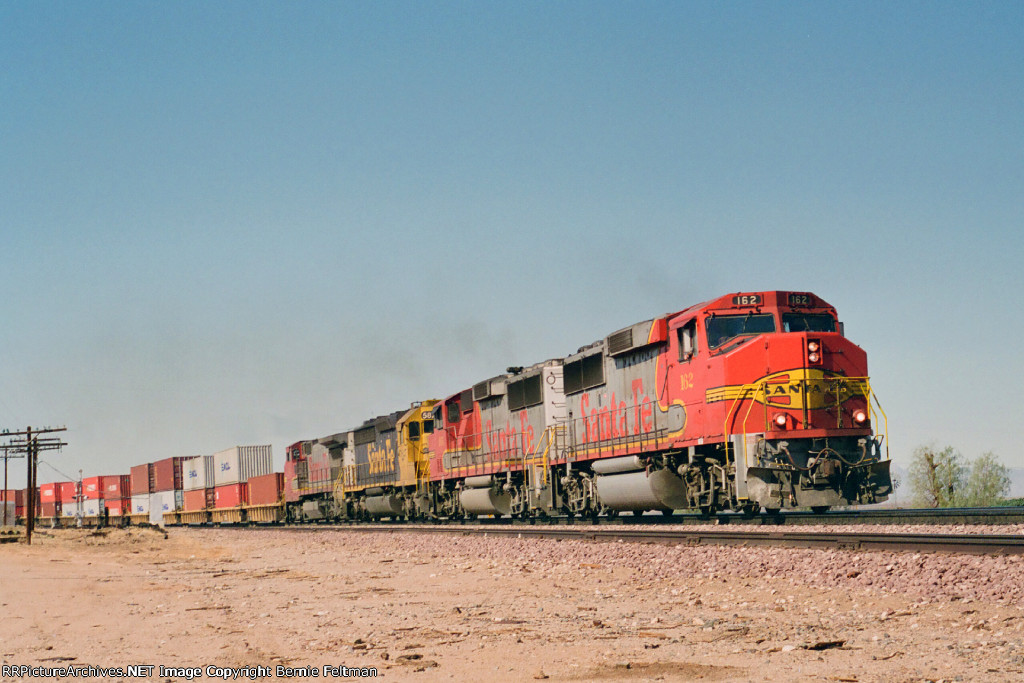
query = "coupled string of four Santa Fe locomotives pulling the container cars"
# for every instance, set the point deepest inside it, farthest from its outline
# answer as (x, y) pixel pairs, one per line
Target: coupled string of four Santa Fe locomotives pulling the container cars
(754, 400)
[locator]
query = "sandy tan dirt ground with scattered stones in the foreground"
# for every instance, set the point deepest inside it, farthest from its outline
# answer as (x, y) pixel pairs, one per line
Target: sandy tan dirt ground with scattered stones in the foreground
(445, 609)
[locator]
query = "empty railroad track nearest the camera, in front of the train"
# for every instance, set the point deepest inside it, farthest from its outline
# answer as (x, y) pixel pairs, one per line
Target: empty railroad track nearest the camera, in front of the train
(970, 544)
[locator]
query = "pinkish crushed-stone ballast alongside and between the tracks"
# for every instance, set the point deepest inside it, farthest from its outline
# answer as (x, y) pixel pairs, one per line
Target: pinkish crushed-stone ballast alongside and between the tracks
(934, 577)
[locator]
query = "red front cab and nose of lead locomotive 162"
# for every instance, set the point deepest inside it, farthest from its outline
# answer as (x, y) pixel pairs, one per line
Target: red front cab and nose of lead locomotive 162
(795, 409)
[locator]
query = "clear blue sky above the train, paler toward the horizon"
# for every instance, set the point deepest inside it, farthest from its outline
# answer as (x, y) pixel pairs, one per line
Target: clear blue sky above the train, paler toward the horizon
(243, 223)
